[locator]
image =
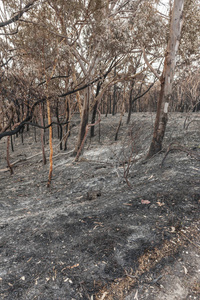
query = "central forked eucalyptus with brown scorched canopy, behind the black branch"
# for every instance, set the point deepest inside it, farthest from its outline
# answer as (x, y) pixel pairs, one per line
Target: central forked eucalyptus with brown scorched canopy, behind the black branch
(96, 35)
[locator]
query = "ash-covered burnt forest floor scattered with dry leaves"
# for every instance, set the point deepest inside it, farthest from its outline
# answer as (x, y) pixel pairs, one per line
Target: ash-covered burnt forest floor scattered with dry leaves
(95, 233)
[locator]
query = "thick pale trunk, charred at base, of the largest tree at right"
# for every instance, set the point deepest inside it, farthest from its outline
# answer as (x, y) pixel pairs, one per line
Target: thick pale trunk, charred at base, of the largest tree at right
(167, 78)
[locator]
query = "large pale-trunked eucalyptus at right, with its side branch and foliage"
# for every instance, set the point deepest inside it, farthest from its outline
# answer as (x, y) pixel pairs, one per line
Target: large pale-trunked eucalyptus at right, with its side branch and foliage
(177, 18)
